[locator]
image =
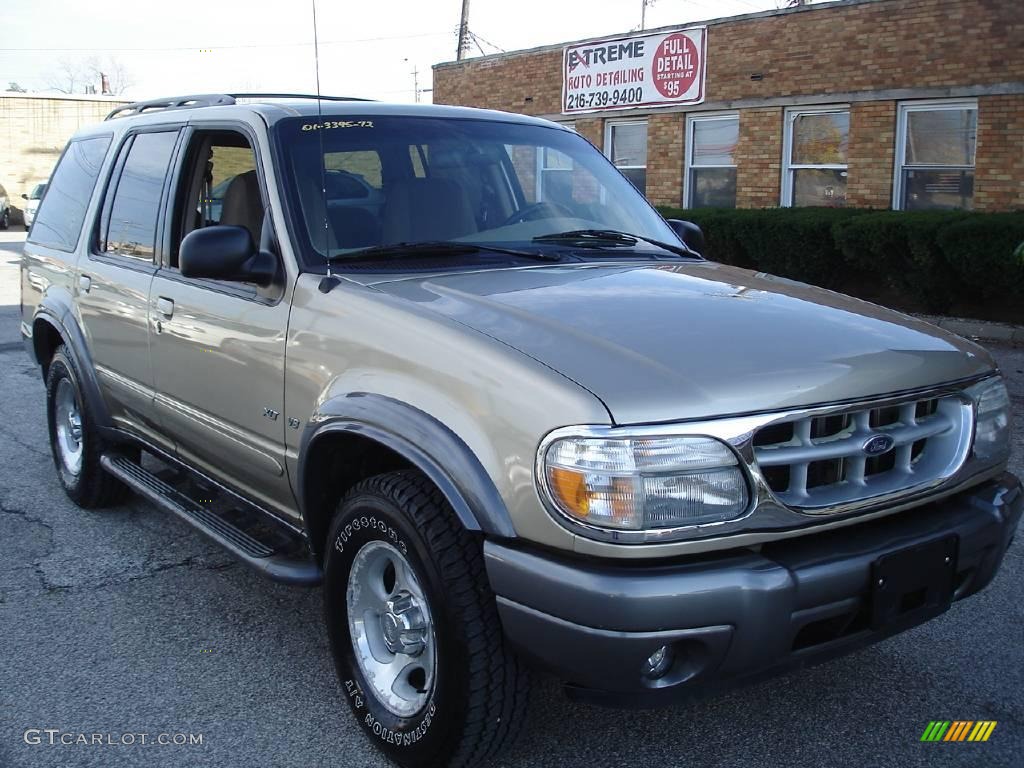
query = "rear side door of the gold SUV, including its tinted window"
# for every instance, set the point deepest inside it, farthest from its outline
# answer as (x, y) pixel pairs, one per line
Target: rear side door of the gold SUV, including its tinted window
(114, 282)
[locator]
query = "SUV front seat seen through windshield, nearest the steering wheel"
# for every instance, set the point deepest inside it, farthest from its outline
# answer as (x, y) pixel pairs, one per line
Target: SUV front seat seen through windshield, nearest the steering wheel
(420, 209)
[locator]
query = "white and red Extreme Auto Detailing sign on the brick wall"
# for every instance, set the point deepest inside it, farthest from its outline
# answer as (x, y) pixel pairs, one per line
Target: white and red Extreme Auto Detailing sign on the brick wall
(644, 71)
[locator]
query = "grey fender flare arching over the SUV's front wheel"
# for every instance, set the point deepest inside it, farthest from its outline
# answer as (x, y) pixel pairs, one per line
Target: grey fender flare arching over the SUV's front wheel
(424, 443)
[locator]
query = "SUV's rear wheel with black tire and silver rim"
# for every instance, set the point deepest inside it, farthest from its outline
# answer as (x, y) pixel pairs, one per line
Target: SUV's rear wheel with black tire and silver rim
(75, 441)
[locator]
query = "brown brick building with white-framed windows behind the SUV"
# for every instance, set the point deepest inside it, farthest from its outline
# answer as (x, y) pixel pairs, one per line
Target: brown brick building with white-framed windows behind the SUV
(880, 104)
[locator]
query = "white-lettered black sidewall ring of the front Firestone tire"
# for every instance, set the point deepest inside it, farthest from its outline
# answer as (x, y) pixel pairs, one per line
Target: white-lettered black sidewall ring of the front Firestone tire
(415, 741)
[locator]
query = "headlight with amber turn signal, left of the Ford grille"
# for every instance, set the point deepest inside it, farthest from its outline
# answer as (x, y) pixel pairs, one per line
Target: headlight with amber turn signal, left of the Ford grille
(642, 484)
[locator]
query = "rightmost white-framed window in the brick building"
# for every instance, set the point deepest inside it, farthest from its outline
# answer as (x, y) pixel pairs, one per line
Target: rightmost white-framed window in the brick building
(935, 156)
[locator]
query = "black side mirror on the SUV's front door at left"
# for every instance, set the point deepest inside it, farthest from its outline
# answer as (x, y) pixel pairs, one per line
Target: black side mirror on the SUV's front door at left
(228, 253)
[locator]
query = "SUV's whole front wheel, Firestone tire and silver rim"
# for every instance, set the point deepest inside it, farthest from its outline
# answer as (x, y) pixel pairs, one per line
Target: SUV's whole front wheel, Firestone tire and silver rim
(414, 628)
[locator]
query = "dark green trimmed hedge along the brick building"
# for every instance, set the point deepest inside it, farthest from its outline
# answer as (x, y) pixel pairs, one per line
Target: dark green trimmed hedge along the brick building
(934, 262)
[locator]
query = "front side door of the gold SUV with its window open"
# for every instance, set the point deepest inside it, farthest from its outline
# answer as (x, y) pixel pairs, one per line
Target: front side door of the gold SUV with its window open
(219, 348)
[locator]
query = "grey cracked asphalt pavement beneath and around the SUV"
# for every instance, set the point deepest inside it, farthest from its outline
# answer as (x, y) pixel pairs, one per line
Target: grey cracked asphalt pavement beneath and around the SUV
(127, 622)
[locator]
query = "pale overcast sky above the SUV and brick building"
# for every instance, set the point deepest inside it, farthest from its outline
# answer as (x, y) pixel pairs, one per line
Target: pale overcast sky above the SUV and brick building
(367, 49)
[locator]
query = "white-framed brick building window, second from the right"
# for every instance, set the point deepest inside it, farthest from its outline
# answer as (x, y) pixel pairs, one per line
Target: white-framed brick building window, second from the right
(816, 160)
